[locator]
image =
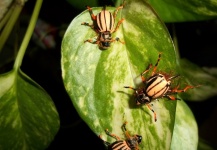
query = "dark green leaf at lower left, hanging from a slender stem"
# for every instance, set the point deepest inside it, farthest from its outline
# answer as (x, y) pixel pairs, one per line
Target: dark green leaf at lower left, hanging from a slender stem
(29, 119)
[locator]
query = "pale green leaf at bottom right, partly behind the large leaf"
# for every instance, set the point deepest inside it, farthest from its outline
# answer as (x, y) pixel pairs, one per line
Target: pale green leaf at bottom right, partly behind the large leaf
(185, 135)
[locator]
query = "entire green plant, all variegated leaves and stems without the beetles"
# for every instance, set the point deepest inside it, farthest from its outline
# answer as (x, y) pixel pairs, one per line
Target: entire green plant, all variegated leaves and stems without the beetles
(95, 79)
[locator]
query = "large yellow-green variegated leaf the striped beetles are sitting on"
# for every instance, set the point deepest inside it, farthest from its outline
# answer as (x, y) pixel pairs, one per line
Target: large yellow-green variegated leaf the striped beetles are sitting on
(94, 79)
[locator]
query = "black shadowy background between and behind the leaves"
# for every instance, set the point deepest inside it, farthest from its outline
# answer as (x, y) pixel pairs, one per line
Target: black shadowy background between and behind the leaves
(197, 43)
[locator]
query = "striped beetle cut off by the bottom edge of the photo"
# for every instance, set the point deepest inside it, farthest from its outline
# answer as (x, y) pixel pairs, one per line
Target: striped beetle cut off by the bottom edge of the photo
(131, 143)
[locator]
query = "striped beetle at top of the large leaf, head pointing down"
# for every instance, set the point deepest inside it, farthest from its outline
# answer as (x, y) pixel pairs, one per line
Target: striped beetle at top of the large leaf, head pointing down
(103, 24)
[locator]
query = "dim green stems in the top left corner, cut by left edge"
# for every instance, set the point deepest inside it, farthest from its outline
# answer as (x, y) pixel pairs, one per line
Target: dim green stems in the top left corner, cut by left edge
(13, 13)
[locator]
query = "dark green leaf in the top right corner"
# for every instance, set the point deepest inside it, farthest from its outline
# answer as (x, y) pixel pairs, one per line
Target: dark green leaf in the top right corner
(185, 10)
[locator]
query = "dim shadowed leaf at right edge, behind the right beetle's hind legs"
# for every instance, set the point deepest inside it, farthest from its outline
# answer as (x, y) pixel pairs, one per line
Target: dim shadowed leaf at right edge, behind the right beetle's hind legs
(195, 75)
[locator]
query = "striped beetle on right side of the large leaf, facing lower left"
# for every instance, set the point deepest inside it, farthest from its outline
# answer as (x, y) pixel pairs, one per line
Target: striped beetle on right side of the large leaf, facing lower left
(158, 85)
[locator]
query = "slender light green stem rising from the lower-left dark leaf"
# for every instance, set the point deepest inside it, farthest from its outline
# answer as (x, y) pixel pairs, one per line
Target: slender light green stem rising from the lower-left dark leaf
(28, 35)
